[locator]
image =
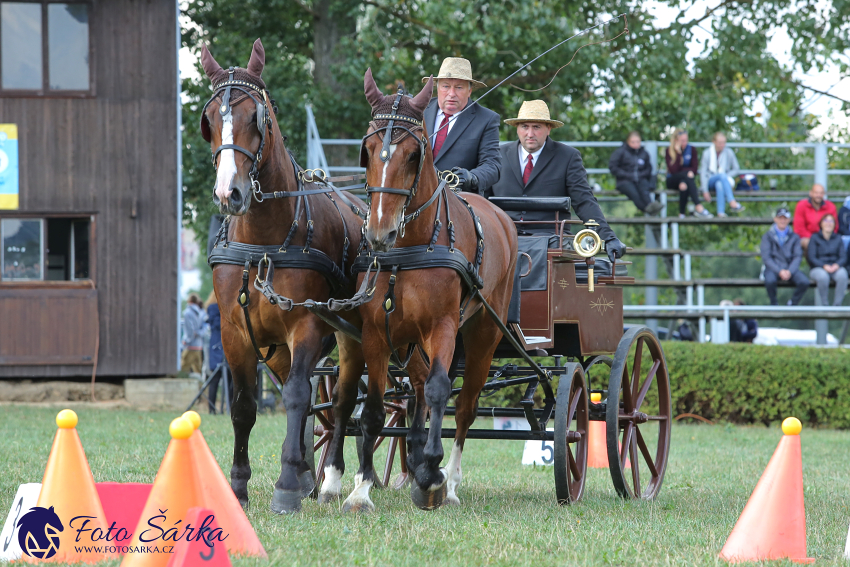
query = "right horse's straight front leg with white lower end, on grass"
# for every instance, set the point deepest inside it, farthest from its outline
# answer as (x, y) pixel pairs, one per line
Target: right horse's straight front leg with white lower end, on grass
(371, 422)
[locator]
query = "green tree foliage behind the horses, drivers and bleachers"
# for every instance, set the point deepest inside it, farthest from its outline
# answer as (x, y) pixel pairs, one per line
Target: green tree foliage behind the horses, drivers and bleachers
(318, 50)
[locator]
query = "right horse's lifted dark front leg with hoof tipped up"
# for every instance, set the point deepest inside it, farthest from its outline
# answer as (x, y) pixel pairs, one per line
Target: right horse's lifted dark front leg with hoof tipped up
(429, 488)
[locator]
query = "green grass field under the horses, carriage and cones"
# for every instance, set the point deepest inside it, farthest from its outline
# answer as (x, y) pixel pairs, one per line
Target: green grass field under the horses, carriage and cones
(508, 514)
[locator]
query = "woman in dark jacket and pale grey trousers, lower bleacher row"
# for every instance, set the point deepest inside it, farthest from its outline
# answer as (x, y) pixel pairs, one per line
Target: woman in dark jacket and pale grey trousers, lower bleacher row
(828, 260)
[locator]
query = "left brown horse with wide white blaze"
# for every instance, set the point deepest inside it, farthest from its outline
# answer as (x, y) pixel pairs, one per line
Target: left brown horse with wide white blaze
(294, 229)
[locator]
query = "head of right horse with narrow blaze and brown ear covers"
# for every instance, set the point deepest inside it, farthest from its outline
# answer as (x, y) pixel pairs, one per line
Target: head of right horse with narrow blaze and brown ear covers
(394, 160)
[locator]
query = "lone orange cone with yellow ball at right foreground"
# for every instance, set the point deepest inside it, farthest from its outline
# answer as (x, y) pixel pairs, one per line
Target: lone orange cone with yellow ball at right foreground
(773, 523)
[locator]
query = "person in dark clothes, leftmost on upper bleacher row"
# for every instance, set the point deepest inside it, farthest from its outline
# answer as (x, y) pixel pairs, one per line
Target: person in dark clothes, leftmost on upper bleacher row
(631, 167)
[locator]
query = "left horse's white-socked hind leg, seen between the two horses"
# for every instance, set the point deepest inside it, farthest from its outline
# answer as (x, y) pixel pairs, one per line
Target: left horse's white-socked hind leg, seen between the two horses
(344, 400)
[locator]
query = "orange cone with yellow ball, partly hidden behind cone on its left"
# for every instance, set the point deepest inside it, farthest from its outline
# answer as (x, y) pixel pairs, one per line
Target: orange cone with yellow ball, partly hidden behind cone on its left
(217, 495)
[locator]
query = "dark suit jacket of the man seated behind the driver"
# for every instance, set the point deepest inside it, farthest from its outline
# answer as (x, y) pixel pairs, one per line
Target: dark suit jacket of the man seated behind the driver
(559, 173)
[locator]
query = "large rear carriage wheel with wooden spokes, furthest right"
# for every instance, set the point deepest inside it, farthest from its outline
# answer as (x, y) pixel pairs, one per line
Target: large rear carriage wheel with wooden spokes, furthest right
(638, 415)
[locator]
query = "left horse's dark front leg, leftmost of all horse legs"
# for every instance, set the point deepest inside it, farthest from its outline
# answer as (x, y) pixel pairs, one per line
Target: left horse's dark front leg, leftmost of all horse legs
(243, 414)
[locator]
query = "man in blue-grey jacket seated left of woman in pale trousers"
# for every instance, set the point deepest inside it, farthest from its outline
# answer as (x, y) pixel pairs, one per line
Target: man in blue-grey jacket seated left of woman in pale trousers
(782, 254)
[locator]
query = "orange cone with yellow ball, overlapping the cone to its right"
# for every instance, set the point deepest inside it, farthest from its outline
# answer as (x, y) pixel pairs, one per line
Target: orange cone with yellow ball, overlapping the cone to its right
(175, 490)
